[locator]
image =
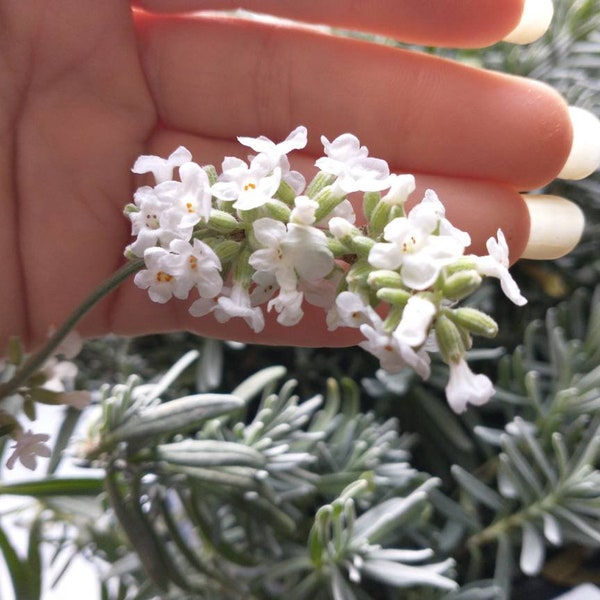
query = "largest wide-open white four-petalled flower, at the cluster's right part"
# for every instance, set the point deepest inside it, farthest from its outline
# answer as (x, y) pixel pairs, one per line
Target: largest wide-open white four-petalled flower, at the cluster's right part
(413, 247)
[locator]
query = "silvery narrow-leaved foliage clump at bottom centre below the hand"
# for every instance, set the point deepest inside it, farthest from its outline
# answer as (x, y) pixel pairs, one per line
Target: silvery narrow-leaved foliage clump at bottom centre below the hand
(277, 499)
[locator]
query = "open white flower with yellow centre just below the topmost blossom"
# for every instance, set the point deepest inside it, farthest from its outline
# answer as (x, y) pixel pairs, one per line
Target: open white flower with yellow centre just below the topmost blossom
(248, 186)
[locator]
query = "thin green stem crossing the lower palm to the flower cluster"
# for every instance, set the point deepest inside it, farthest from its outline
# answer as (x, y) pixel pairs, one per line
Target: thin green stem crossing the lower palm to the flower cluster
(35, 361)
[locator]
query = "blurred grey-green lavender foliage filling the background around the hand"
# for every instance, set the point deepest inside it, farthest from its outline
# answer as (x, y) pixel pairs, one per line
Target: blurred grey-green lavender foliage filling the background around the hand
(248, 472)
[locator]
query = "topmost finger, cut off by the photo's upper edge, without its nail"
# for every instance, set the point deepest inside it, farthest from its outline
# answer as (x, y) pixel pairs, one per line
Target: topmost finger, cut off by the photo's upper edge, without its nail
(457, 23)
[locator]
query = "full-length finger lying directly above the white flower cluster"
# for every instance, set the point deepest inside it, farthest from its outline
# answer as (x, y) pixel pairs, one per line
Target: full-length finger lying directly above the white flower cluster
(223, 77)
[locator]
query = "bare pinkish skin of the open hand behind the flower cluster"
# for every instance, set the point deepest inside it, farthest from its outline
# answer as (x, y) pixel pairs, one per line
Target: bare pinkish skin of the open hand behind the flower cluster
(87, 86)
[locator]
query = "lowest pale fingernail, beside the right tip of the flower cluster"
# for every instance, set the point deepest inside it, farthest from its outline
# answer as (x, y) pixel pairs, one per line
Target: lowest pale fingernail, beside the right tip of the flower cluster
(556, 226)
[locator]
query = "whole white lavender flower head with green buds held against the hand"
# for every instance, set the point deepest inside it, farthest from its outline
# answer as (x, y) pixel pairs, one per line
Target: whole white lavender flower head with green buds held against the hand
(256, 236)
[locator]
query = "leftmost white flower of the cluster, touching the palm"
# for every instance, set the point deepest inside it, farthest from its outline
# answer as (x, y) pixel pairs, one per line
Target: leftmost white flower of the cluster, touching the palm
(154, 223)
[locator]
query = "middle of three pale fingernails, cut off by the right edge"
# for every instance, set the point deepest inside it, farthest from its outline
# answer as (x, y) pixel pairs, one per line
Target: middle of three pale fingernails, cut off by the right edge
(584, 158)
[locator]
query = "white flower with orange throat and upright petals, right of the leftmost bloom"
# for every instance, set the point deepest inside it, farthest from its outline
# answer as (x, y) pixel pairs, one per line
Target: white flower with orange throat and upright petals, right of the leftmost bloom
(191, 198)
